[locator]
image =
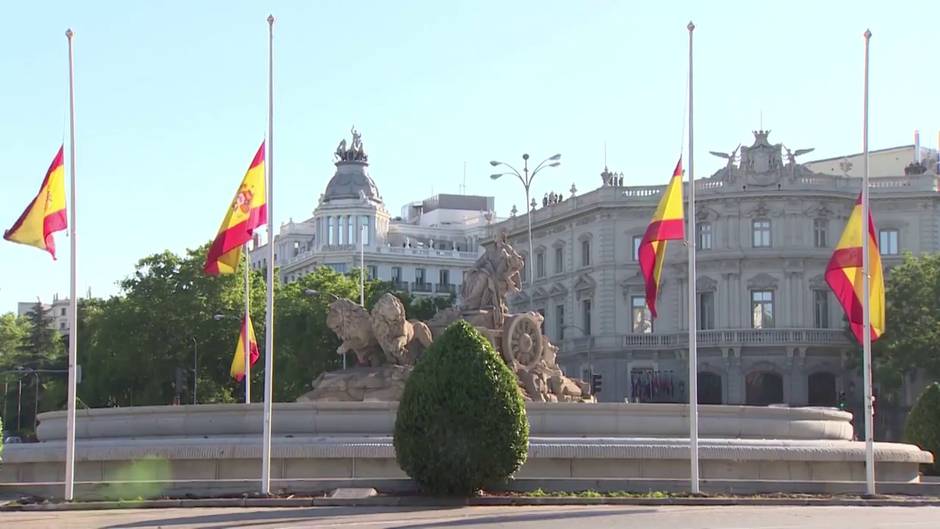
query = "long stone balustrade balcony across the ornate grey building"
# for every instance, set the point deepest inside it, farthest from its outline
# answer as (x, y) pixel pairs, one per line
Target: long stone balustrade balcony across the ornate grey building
(711, 338)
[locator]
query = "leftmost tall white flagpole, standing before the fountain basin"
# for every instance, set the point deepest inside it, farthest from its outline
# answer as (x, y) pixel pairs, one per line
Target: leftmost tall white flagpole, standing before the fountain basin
(73, 298)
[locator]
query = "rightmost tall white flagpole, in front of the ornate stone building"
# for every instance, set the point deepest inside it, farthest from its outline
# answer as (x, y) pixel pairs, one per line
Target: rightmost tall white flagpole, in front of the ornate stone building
(866, 308)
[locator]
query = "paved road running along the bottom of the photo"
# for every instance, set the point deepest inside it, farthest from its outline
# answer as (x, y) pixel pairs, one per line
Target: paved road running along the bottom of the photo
(478, 517)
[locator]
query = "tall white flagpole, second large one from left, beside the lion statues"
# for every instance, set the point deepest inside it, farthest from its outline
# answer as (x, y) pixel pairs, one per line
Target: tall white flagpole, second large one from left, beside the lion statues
(269, 312)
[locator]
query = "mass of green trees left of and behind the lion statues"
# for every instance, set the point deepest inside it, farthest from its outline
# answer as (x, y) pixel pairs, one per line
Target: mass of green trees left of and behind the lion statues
(140, 347)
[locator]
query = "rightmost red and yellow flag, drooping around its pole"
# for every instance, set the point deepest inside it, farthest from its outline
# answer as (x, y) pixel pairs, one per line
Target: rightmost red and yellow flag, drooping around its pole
(845, 277)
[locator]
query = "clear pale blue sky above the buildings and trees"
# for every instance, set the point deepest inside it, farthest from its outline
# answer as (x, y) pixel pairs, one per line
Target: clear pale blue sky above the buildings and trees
(172, 102)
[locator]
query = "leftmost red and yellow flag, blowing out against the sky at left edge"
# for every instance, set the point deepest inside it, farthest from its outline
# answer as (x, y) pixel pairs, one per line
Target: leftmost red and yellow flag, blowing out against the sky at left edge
(45, 215)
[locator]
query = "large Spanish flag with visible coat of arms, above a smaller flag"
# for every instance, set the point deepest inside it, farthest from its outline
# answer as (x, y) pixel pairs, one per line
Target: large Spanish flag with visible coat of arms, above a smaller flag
(247, 211)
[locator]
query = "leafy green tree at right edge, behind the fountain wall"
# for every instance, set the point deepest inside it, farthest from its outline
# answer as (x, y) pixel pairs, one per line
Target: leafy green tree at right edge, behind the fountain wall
(912, 338)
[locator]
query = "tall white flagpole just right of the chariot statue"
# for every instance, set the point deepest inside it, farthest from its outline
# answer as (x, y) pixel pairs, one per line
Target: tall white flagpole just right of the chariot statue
(693, 346)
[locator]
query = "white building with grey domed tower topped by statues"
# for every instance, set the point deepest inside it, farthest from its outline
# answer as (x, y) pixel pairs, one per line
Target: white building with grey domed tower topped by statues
(424, 251)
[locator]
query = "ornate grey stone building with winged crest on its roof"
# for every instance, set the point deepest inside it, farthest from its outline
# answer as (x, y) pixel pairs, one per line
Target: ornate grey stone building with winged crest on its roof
(770, 330)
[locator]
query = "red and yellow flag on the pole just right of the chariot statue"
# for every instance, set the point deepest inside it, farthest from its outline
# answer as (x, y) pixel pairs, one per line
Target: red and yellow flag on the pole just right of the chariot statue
(667, 224)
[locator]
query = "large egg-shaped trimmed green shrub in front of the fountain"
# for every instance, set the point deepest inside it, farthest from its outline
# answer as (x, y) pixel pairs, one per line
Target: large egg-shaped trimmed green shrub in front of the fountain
(461, 422)
